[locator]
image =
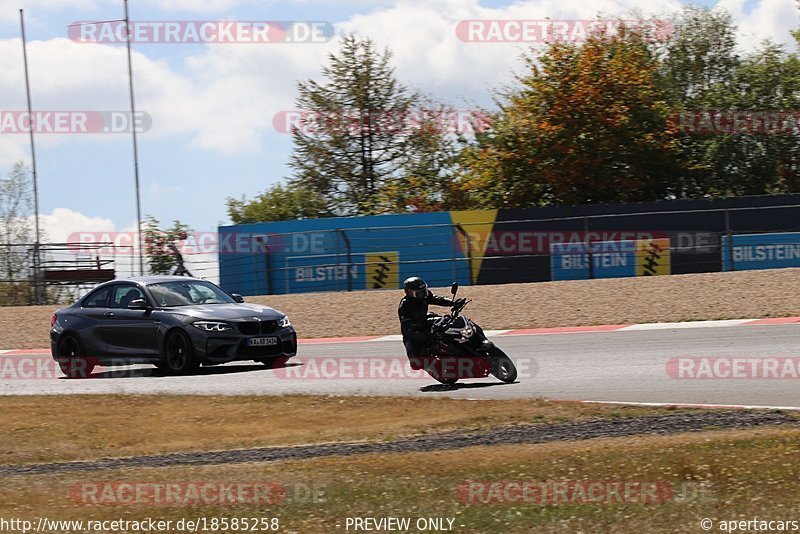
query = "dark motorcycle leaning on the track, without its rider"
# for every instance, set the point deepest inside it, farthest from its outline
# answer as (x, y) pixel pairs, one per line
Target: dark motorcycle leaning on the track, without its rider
(459, 349)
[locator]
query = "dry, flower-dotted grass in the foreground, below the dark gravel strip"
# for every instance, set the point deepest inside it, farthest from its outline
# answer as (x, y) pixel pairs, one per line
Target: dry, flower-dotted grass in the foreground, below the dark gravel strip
(717, 474)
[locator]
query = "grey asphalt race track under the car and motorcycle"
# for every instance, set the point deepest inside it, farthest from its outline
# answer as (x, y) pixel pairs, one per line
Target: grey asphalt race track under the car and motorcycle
(628, 366)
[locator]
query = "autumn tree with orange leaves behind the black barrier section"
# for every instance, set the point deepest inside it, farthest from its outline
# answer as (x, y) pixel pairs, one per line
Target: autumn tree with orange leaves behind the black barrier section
(589, 123)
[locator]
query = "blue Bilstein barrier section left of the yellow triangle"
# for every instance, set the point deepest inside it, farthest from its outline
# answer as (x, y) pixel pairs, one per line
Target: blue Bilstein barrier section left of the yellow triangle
(336, 254)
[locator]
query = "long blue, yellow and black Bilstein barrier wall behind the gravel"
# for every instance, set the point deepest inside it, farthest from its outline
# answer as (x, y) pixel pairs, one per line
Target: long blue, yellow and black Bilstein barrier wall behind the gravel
(508, 245)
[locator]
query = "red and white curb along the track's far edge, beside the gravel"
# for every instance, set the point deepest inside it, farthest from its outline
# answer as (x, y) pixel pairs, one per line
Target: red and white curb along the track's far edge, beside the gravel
(535, 331)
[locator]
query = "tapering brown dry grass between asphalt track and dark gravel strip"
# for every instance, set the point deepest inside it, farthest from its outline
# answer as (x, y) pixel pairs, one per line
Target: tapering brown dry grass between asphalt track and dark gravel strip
(84, 427)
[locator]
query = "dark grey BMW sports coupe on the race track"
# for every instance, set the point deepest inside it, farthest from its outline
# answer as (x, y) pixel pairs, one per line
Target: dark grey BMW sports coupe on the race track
(173, 322)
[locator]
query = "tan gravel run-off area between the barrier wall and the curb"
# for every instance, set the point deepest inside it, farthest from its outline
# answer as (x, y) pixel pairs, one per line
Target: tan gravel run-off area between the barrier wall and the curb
(691, 297)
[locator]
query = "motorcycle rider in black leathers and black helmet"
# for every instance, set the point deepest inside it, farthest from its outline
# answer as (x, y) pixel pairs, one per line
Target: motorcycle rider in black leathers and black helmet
(413, 313)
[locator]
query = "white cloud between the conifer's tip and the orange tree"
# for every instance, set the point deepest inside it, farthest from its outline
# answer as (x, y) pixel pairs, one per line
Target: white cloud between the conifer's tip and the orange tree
(422, 36)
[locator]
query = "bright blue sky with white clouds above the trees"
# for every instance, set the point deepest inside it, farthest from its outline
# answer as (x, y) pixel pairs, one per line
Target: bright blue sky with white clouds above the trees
(211, 106)
